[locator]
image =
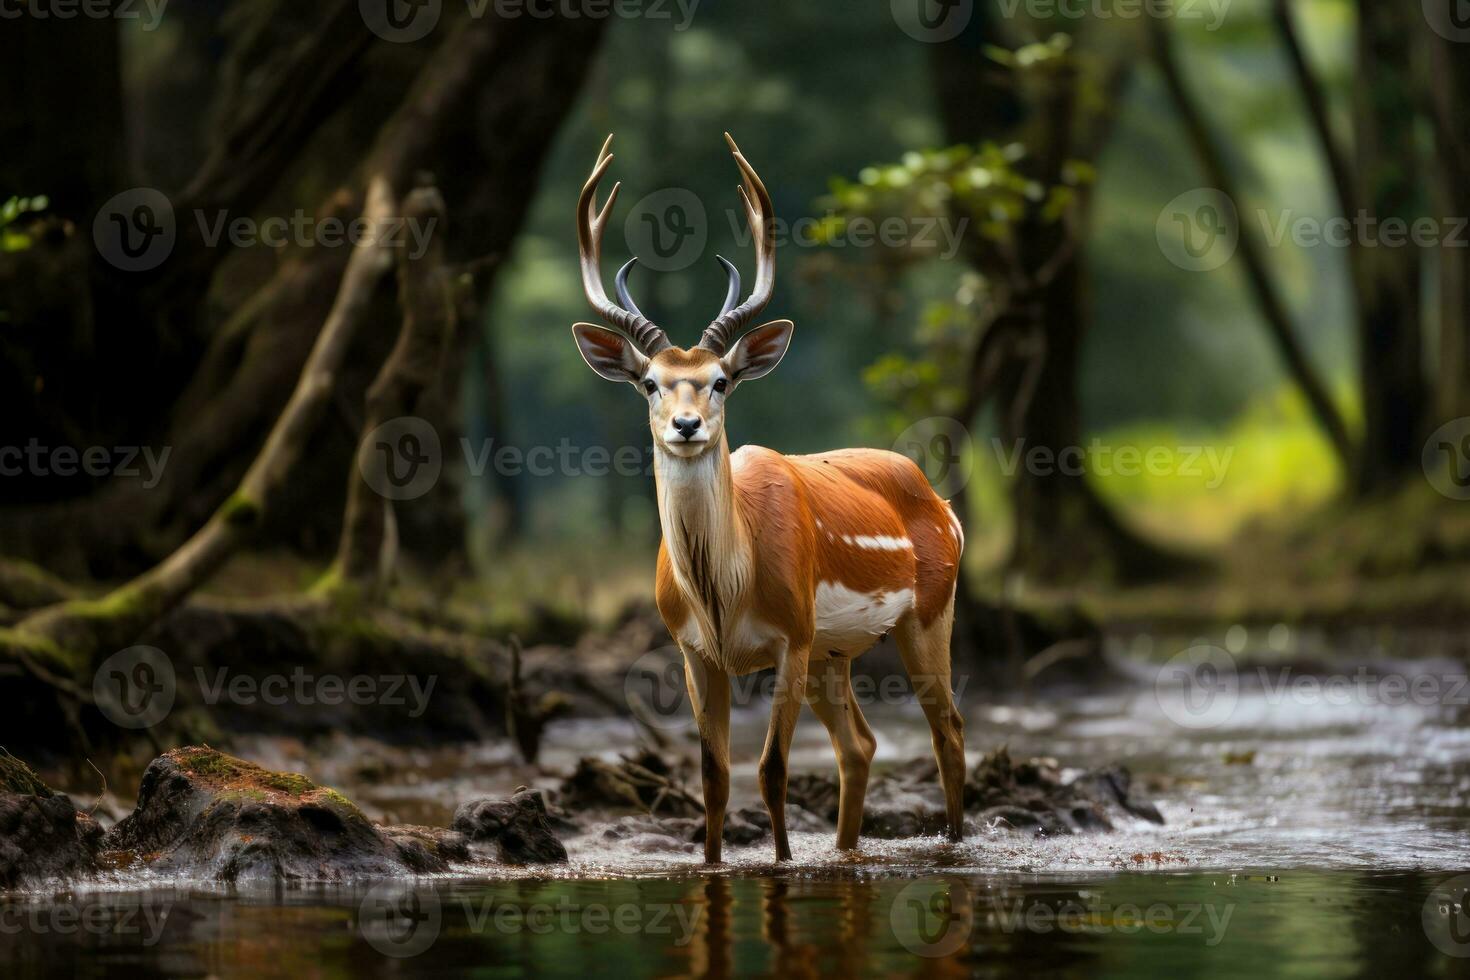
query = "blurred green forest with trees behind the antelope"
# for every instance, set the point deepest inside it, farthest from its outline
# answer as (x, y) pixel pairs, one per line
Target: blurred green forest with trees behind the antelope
(1061, 154)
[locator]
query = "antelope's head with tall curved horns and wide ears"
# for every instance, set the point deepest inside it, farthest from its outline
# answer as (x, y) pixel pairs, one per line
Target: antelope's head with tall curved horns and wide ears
(686, 389)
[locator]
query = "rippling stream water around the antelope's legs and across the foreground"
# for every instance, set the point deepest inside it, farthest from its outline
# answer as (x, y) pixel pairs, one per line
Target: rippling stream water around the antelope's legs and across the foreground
(1306, 837)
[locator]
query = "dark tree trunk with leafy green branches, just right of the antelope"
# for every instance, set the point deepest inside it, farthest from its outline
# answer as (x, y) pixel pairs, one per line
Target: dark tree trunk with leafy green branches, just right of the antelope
(1064, 530)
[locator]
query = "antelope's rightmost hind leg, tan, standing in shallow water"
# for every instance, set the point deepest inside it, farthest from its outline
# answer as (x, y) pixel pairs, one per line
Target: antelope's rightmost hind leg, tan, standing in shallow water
(927, 659)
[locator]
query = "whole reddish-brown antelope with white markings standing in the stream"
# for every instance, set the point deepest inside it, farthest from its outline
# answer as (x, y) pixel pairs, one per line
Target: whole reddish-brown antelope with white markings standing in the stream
(792, 562)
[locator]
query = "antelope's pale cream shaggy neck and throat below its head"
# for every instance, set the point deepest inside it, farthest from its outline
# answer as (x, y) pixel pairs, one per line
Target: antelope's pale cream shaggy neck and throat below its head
(706, 536)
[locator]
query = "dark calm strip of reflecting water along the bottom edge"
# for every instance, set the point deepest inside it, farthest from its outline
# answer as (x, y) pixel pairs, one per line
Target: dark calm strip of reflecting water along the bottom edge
(789, 925)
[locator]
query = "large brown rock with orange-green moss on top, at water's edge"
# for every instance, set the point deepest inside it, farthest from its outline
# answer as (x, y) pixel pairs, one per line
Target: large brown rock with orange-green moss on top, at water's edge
(207, 815)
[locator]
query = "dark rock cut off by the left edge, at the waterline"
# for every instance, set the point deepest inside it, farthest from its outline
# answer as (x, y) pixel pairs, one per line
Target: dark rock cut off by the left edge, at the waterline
(43, 837)
